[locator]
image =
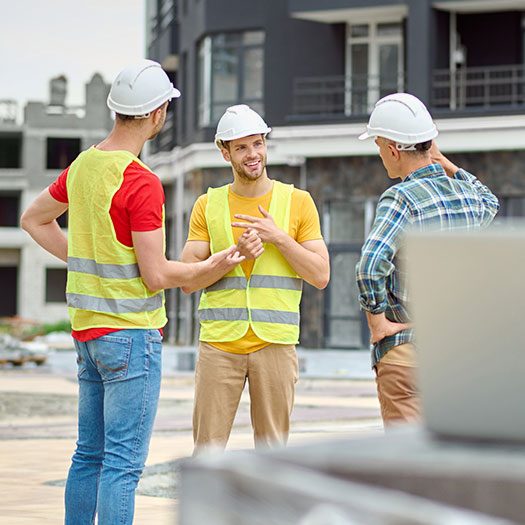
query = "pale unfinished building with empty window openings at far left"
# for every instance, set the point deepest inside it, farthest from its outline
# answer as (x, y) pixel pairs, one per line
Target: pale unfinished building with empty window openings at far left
(32, 154)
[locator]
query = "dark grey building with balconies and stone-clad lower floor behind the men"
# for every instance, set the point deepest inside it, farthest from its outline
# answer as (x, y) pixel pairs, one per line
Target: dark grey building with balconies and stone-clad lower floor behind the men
(314, 69)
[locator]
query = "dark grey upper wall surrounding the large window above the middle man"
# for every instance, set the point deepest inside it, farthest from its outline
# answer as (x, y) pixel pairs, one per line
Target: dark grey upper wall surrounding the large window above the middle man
(292, 48)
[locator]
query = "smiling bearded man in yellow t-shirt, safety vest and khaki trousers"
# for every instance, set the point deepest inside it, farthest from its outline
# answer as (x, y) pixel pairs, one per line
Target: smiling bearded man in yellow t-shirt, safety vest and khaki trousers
(250, 317)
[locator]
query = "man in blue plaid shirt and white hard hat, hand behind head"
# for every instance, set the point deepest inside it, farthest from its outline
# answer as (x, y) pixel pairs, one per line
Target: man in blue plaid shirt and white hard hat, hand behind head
(433, 194)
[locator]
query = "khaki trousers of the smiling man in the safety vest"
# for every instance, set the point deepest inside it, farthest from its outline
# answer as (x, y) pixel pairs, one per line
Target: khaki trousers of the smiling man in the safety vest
(219, 381)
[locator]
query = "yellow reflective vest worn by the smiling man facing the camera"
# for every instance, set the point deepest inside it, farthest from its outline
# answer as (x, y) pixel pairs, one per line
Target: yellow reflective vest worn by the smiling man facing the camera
(269, 300)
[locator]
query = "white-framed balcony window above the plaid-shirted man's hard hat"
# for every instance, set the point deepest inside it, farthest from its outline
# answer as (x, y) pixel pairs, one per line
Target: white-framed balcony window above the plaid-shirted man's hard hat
(374, 65)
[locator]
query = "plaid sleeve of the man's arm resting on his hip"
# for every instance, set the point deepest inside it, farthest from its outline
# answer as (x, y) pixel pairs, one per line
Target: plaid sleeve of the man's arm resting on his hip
(379, 250)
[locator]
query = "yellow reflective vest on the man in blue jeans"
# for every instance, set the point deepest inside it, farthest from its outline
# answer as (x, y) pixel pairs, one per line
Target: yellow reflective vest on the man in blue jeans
(104, 286)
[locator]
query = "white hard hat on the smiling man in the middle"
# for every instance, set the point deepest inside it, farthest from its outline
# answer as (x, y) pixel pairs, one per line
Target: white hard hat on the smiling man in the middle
(240, 121)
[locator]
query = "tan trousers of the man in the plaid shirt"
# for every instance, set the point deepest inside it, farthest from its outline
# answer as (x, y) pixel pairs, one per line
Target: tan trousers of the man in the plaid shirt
(397, 392)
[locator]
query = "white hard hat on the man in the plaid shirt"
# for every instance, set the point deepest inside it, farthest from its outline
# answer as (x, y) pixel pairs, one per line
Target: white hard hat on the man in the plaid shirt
(403, 118)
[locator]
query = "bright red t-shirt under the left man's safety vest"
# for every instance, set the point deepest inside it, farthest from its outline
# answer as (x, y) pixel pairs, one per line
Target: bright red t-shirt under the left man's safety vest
(136, 206)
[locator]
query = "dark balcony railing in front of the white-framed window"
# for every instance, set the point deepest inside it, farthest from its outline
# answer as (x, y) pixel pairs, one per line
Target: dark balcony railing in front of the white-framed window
(340, 96)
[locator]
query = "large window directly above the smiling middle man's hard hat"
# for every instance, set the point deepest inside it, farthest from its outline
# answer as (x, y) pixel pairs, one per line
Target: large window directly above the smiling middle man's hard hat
(230, 71)
